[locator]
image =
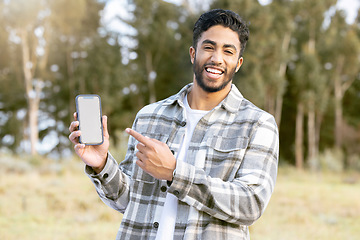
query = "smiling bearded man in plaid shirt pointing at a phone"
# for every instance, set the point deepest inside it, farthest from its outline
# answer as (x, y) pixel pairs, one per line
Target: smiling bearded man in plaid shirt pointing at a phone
(201, 164)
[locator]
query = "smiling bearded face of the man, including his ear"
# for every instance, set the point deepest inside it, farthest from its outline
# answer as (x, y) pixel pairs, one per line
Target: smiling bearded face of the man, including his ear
(216, 58)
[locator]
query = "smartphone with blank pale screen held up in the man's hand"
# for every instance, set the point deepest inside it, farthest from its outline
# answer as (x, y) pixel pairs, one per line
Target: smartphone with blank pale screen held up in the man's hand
(88, 109)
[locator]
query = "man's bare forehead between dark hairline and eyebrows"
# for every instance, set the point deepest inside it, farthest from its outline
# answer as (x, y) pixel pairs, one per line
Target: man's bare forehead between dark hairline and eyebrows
(221, 36)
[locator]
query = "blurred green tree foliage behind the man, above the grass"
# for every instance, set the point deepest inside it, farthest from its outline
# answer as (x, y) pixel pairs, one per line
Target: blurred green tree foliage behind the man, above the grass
(291, 57)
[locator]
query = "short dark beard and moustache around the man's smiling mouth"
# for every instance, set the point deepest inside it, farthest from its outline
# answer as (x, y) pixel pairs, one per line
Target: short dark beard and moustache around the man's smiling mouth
(227, 77)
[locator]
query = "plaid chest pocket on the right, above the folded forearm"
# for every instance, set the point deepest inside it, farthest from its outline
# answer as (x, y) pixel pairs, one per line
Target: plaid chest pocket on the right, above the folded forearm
(224, 156)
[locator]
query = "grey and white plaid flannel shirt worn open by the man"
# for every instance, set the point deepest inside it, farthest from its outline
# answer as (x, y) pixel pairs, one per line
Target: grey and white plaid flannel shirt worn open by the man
(224, 184)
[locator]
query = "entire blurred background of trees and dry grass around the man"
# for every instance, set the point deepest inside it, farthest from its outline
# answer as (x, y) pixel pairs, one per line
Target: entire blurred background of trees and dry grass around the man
(301, 64)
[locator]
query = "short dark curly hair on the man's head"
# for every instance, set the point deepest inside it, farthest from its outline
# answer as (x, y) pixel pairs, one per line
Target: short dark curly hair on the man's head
(224, 18)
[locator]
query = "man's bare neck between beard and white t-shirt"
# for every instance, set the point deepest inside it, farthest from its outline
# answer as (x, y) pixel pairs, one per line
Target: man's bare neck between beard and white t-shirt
(199, 99)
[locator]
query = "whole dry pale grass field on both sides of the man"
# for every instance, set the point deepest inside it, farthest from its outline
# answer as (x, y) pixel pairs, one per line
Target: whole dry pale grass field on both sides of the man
(57, 201)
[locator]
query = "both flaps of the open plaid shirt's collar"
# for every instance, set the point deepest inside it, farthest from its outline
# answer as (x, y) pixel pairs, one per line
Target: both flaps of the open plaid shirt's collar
(231, 103)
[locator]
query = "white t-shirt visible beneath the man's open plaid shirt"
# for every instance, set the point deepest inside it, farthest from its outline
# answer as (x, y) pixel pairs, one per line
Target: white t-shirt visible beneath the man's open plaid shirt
(168, 217)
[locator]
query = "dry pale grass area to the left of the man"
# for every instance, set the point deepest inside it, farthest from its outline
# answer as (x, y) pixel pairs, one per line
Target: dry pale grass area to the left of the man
(53, 202)
